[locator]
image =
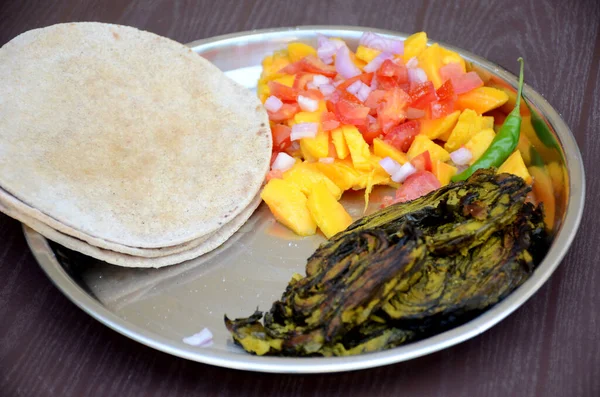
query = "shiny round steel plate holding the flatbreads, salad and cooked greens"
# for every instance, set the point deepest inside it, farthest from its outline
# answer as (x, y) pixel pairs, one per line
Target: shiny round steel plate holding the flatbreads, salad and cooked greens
(160, 307)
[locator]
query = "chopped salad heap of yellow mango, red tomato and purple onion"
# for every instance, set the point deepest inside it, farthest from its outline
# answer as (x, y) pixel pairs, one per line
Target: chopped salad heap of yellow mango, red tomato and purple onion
(393, 112)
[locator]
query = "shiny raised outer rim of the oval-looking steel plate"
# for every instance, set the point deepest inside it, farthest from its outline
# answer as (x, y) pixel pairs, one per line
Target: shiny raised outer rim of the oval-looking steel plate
(561, 244)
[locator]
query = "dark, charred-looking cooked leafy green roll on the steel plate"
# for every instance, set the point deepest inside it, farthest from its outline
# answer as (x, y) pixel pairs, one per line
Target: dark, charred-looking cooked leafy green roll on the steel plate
(406, 272)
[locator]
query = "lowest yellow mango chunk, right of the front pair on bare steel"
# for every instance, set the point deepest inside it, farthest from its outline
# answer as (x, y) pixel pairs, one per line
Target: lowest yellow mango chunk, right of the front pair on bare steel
(327, 212)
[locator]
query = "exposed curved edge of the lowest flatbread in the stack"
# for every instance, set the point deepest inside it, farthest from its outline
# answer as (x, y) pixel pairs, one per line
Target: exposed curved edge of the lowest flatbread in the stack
(215, 240)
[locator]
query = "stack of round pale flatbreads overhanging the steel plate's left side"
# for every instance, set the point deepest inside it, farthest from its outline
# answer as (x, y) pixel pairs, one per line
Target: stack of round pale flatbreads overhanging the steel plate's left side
(126, 146)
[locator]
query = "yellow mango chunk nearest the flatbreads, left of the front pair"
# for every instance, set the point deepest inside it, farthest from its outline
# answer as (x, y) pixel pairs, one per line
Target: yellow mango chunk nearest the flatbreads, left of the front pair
(288, 205)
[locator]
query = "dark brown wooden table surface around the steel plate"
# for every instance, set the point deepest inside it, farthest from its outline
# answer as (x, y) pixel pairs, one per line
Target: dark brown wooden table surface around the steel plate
(549, 347)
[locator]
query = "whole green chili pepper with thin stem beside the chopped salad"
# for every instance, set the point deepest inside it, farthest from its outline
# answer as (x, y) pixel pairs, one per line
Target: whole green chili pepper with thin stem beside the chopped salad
(504, 143)
